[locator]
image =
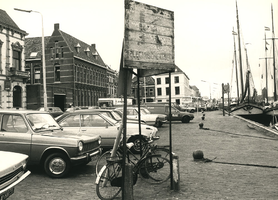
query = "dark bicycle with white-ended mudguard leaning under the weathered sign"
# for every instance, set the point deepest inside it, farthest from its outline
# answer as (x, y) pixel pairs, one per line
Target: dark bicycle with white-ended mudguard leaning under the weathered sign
(151, 167)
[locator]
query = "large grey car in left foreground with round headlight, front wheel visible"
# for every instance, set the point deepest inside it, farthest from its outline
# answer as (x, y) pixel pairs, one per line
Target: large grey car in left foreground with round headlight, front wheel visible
(38, 135)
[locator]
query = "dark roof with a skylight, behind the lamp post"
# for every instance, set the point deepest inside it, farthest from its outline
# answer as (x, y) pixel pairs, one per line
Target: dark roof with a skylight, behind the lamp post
(33, 45)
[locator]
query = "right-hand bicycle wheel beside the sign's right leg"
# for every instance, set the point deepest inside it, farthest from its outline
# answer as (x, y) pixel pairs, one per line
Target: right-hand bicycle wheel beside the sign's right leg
(155, 169)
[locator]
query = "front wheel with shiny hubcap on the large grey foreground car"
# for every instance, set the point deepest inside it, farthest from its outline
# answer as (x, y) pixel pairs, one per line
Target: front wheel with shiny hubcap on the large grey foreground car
(57, 165)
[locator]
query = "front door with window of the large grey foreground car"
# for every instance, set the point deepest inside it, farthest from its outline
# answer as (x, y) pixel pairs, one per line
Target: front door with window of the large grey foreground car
(15, 135)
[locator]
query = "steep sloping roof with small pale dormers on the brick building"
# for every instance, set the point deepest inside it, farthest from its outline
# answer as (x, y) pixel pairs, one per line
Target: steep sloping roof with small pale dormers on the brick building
(92, 55)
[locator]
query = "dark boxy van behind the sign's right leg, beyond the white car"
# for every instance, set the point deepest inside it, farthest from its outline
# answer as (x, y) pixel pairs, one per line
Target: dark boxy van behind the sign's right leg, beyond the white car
(163, 108)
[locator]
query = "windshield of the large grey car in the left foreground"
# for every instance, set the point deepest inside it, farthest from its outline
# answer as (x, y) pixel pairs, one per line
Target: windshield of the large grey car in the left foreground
(42, 121)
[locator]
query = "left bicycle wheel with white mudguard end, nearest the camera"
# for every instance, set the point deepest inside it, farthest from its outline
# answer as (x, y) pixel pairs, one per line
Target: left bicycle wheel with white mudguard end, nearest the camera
(109, 181)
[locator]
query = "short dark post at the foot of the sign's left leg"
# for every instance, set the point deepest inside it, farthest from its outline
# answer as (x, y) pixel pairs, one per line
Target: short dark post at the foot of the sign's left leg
(128, 190)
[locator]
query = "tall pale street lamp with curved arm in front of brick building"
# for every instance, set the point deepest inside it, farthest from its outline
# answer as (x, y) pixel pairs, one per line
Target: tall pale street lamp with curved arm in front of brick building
(43, 58)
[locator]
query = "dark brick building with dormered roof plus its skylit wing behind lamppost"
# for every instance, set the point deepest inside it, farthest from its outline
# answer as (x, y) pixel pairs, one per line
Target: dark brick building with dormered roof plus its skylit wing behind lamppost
(75, 72)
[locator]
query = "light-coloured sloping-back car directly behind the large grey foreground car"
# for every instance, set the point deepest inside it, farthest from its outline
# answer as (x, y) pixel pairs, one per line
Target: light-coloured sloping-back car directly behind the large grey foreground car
(91, 122)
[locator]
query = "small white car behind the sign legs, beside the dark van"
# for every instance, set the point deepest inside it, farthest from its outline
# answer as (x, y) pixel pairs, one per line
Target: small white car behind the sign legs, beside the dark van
(156, 120)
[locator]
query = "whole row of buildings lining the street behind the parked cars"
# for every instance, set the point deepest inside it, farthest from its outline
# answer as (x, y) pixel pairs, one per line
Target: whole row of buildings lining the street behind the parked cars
(75, 72)
